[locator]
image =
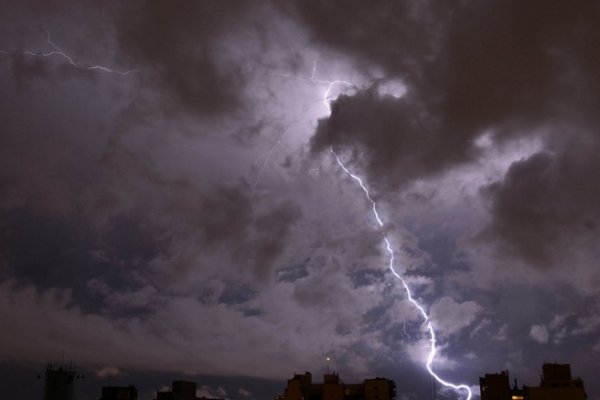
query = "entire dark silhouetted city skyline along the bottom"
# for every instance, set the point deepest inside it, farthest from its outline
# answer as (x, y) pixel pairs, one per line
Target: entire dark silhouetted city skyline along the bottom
(556, 381)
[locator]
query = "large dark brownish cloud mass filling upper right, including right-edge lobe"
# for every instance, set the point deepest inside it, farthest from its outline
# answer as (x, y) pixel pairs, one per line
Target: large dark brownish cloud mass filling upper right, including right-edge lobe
(510, 69)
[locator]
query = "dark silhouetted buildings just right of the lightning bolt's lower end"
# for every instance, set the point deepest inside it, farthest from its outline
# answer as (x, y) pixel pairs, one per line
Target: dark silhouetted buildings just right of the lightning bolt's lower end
(555, 383)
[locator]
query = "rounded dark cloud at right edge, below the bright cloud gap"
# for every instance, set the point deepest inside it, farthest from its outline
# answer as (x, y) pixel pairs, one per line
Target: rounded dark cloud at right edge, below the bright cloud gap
(545, 210)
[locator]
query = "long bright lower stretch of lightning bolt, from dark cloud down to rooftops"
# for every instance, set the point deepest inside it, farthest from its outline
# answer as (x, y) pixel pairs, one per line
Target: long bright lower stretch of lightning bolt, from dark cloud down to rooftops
(432, 337)
